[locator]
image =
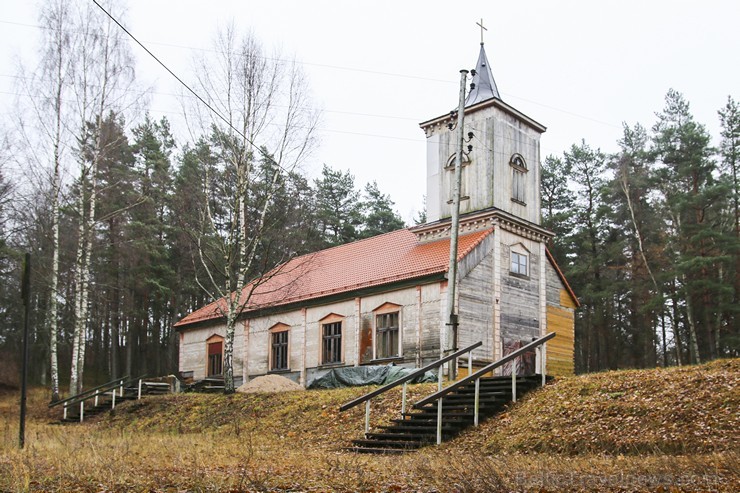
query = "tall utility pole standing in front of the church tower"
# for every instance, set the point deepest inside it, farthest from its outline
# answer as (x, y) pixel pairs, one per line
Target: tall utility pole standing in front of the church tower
(451, 335)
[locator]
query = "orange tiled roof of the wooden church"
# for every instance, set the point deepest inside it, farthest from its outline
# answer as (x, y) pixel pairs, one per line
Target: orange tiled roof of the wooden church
(376, 261)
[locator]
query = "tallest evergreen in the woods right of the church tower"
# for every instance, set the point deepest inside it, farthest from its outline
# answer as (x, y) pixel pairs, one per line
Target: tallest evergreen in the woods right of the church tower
(693, 202)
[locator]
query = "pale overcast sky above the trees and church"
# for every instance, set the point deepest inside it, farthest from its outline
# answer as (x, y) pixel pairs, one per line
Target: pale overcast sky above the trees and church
(378, 68)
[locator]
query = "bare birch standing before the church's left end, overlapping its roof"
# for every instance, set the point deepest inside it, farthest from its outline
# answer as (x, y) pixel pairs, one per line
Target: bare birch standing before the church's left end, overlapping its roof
(264, 123)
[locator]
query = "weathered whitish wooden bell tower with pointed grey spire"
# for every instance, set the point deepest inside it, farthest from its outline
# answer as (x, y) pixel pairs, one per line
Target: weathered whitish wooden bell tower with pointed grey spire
(501, 171)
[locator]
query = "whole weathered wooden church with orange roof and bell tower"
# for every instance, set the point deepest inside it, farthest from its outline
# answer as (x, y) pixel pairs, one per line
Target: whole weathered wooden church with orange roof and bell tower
(383, 300)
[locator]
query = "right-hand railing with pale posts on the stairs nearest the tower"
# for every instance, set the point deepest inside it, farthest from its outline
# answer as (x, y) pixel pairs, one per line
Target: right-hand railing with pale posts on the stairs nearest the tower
(537, 344)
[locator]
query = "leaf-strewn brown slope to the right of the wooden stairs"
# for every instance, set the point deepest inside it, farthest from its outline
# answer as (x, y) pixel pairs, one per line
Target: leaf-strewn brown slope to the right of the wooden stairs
(693, 409)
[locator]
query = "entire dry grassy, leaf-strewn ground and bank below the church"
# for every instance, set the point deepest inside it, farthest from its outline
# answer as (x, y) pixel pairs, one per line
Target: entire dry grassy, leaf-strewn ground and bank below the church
(653, 430)
